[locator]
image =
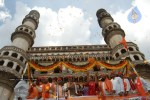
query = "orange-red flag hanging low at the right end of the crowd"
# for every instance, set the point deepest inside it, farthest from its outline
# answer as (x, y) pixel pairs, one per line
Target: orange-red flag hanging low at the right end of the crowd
(140, 88)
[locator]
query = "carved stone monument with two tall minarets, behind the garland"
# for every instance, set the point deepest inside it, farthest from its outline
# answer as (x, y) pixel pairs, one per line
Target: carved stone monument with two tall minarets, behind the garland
(13, 59)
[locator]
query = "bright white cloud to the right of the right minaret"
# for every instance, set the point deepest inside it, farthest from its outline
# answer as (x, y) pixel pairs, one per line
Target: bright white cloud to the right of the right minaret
(138, 32)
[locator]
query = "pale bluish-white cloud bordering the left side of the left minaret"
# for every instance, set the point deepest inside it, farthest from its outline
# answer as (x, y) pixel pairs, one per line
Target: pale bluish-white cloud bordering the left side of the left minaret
(10, 24)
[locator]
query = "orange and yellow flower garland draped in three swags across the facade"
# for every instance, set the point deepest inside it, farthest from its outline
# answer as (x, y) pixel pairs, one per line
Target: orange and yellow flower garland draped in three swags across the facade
(76, 68)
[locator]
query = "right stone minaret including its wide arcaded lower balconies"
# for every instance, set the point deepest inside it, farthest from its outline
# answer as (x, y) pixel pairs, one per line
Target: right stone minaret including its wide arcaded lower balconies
(113, 35)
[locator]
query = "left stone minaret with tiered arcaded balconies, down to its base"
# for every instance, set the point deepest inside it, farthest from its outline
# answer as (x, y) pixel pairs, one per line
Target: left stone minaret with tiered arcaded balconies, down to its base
(13, 59)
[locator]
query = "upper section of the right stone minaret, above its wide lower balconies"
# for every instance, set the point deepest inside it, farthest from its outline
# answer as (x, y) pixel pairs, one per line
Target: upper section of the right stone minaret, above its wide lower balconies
(112, 31)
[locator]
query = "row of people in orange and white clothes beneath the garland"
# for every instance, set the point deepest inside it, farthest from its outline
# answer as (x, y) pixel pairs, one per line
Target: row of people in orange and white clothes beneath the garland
(113, 84)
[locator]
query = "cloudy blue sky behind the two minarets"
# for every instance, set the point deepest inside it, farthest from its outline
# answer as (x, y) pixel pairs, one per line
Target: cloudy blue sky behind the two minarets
(74, 22)
